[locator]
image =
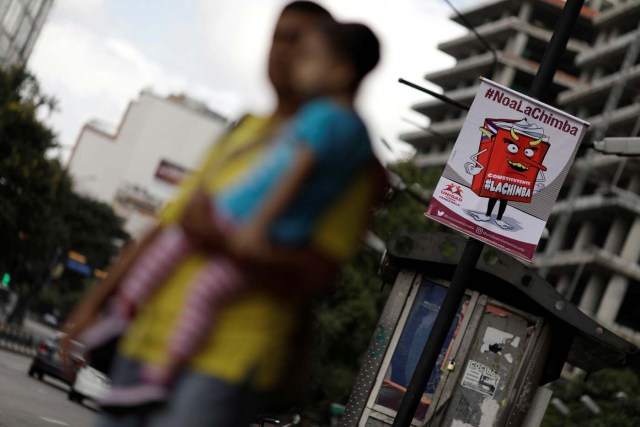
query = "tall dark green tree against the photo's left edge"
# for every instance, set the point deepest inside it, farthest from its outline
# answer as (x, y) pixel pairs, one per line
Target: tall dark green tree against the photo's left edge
(28, 179)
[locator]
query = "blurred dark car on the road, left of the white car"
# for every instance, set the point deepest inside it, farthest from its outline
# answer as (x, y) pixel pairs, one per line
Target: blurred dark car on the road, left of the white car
(48, 361)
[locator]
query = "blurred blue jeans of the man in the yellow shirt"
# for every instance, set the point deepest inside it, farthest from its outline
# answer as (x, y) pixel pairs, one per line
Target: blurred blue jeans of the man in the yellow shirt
(197, 400)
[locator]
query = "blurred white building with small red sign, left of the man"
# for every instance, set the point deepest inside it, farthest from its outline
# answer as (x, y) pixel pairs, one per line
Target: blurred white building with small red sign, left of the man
(137, 167)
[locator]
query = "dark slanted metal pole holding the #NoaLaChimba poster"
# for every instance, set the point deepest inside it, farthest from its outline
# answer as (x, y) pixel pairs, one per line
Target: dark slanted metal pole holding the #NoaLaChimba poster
(473, 248)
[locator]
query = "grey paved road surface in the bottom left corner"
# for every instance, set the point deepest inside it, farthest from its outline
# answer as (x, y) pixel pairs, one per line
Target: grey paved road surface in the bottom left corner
(27, 402)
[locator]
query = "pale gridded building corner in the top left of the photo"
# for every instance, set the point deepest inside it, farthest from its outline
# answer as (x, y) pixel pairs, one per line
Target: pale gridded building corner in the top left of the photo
(20, 25)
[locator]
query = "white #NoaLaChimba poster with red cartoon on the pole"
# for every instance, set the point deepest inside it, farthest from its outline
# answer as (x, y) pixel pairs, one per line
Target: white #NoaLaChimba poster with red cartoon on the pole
(506, 169)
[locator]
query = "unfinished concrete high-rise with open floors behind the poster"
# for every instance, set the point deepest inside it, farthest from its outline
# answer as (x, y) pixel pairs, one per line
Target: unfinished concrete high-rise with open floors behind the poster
(592, 253)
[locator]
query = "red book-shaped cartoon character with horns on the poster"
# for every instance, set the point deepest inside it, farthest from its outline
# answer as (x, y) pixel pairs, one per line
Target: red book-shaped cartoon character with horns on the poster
(508, 165)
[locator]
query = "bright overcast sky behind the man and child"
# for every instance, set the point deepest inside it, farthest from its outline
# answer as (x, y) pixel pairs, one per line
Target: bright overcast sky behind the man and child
(95, 56)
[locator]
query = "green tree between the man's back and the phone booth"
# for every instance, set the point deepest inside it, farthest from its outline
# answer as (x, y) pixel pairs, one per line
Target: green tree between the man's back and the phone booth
(345, 318)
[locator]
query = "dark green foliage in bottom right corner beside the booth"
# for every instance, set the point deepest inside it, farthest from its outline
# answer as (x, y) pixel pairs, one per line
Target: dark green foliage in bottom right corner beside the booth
(616, 392)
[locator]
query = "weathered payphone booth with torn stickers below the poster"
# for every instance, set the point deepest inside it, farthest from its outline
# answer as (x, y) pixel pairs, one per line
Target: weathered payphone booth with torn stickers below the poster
(512, 334)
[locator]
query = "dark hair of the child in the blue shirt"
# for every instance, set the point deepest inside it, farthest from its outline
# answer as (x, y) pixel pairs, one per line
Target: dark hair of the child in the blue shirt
(355, 43)
